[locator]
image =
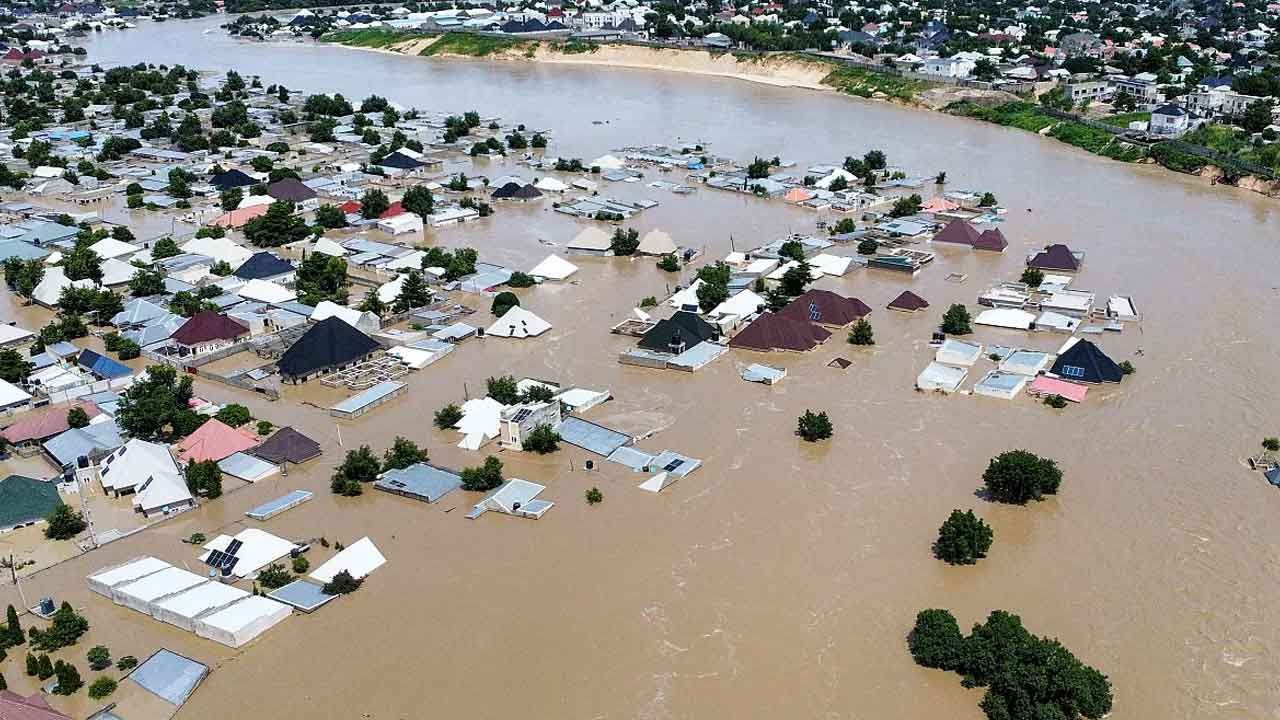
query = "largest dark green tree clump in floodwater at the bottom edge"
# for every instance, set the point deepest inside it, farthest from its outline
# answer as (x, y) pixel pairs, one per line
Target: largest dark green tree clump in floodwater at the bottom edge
(1026, 676)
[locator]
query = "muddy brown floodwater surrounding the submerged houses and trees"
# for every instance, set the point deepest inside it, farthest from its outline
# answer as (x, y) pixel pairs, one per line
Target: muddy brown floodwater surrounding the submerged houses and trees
(781, 578)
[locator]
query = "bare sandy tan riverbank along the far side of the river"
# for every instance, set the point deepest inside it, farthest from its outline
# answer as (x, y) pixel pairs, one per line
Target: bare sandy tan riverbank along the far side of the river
(781, 71)
